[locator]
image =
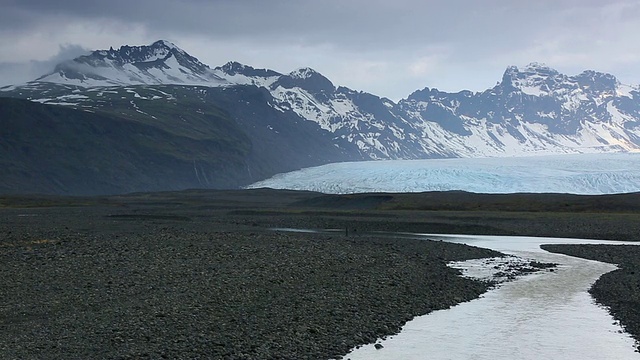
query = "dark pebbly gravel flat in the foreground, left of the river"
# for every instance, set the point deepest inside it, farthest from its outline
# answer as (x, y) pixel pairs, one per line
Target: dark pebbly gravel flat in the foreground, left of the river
(80, 284)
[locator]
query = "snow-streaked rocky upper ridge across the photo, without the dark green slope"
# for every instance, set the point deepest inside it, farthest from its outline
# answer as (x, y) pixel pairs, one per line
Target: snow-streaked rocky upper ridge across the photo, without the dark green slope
(533, 110)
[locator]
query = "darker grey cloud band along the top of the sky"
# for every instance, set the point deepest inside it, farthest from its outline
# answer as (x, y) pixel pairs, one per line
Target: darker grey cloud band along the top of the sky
(358, 24)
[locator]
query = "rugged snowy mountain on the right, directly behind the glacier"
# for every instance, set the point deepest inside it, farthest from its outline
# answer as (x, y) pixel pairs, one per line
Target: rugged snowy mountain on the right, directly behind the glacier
(533, 110)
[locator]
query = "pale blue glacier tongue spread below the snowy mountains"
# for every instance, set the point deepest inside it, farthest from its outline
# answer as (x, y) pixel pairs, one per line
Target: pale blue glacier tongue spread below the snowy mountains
(587, 174)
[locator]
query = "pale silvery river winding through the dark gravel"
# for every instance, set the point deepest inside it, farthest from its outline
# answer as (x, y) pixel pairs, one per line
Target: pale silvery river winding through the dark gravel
(546, 315)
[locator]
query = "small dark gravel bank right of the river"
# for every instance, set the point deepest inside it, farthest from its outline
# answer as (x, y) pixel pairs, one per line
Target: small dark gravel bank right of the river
(618, 290)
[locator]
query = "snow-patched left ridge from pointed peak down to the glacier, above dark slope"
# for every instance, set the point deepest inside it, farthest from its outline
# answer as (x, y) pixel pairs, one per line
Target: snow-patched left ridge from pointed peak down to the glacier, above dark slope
(359, 122)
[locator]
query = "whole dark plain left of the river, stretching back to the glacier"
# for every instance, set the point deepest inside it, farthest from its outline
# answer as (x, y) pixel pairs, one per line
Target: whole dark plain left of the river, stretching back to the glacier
(200, 273)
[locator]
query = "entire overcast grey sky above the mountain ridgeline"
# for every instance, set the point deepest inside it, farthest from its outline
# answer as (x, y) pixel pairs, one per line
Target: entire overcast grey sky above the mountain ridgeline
(389, 48)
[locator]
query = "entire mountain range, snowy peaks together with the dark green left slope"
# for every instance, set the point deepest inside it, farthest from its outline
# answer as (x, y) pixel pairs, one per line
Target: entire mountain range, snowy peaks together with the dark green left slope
(233, 125)
